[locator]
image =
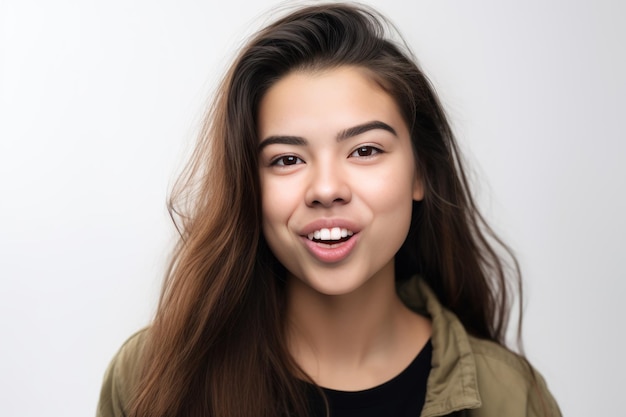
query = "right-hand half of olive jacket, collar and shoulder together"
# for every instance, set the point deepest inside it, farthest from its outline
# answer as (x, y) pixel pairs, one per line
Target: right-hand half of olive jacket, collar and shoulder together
(474, 374)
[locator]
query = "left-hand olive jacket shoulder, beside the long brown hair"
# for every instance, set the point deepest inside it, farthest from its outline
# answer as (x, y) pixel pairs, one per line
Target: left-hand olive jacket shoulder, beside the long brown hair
(121, 377)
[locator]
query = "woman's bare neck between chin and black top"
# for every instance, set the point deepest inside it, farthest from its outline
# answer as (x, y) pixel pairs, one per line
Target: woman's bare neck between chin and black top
(353, 340)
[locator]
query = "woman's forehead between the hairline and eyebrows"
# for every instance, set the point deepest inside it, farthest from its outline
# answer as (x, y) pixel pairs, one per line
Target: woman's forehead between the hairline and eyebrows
(327, 100)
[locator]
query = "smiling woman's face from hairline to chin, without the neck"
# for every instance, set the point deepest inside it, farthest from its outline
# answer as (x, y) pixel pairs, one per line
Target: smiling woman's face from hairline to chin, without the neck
(337, 178)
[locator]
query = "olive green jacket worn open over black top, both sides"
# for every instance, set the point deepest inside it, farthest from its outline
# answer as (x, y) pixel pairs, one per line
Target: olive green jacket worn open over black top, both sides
(469, 377)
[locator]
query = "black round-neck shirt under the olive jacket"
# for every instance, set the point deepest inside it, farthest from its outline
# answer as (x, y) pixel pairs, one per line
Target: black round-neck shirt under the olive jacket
(399, 397)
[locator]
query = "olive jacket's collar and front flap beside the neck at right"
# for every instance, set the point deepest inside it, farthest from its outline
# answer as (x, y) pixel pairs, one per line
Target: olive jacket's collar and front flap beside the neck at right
(452, 383)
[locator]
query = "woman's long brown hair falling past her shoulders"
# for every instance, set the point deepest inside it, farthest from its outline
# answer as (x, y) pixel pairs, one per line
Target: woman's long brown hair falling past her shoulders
(216, 347)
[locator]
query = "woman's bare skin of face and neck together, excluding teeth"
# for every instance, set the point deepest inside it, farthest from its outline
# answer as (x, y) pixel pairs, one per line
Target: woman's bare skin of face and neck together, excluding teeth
(335, 152)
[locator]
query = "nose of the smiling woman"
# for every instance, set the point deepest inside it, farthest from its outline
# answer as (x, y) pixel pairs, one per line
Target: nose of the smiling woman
(328, 186)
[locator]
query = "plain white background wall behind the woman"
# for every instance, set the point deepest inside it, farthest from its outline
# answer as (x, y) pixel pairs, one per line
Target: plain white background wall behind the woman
(99, 102)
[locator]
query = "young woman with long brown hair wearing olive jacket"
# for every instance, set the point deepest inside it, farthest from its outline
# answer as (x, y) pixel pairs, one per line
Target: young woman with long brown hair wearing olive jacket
(332, 260)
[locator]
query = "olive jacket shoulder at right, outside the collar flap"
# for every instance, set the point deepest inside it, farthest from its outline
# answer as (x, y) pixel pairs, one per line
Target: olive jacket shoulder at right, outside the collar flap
(508, 384)
